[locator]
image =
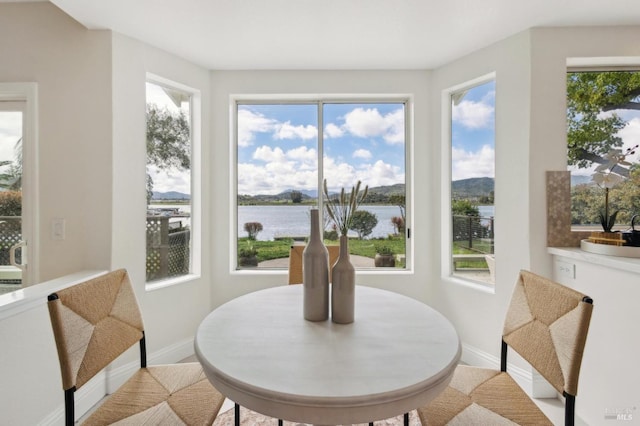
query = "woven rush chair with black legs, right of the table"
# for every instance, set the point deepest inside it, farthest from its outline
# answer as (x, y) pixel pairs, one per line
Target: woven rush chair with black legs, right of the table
(547, 325)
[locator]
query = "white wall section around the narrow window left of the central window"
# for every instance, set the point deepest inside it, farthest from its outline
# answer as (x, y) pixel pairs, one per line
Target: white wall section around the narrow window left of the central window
(171, 314)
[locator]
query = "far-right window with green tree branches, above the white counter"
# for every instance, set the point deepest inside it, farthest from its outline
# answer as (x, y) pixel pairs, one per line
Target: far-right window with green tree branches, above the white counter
(603, 133)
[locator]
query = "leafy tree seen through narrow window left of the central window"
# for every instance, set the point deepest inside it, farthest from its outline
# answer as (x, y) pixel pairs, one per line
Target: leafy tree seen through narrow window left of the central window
(168, 141)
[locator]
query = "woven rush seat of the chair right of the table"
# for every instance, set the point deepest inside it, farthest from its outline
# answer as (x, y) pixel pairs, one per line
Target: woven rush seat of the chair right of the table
(481, 396)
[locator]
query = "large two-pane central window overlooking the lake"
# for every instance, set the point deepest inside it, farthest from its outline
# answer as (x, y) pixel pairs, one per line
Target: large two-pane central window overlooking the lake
(285, 150)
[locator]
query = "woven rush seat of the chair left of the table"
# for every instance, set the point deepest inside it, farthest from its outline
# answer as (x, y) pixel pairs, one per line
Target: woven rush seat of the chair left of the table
(177, 394)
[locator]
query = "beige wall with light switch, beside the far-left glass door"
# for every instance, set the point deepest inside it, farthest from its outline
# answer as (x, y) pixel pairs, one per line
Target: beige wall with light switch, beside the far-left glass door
(72, 68)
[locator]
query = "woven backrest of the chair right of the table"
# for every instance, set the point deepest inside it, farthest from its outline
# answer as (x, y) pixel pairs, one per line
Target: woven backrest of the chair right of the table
(547, 324)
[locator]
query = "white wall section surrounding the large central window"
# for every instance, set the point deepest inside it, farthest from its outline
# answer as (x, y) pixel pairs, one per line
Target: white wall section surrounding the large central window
(228, 284)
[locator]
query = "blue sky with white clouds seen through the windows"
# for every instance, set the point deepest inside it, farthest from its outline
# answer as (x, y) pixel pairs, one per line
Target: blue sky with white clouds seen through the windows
(277, 144)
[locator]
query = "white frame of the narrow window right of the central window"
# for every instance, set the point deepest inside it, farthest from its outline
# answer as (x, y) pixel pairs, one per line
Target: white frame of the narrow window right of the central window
(446, 266)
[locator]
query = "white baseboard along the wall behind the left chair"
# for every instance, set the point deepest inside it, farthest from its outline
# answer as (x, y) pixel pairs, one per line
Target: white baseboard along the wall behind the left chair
(110, 379)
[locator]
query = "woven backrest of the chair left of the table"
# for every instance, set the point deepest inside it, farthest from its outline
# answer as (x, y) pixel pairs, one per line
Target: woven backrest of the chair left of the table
(93, 323)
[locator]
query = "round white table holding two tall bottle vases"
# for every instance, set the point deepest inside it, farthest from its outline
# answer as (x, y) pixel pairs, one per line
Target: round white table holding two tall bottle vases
(260, 352)
